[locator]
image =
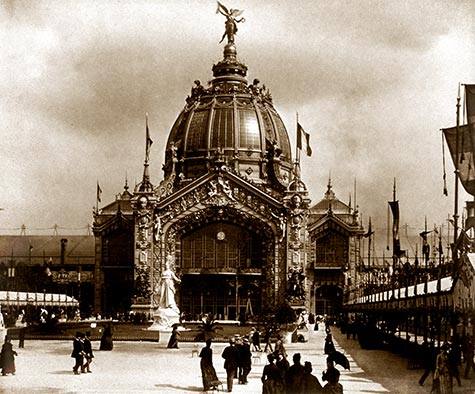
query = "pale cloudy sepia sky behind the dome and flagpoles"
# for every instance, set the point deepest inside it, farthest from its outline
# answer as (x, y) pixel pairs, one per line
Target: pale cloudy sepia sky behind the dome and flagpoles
(373, 82)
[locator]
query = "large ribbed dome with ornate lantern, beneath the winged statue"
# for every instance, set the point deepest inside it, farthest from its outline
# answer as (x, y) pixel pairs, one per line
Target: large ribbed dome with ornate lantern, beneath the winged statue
(231, 123)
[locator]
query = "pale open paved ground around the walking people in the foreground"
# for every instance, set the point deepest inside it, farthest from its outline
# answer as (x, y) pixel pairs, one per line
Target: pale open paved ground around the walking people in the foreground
(147, 367)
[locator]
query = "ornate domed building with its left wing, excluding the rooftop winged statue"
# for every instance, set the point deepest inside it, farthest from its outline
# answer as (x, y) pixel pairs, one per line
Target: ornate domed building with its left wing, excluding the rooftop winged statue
(230, 212)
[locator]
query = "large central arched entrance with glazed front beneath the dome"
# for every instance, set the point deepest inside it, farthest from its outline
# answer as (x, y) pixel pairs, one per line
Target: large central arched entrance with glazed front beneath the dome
(221, 267)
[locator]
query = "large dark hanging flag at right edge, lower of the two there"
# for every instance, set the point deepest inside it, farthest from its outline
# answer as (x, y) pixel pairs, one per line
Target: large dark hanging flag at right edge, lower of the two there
(465, 160)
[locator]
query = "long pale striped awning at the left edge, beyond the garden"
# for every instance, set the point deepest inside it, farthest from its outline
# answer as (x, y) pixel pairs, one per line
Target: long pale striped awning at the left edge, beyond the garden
(36, 299)
